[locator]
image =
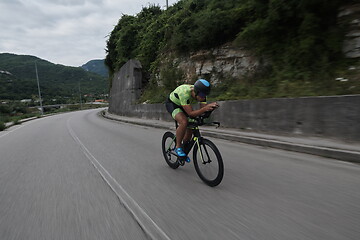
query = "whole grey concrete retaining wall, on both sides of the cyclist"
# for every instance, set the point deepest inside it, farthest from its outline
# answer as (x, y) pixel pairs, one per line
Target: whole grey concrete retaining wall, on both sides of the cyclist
(334, 117)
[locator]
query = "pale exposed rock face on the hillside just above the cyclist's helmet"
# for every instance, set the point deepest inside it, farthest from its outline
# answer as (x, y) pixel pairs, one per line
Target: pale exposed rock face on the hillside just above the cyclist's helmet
(223, 61)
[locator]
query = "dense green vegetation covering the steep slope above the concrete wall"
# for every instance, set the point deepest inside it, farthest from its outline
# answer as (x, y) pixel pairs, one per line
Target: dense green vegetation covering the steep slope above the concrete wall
(300, 40)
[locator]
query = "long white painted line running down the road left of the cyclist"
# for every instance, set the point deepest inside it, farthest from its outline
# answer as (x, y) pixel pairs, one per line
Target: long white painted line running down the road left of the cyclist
(151, 229)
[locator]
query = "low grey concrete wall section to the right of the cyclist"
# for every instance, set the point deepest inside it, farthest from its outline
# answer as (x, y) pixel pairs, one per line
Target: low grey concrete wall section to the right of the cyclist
(334, 117)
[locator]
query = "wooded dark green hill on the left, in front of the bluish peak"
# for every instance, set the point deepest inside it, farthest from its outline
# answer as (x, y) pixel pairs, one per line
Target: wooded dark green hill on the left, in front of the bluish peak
(18, 79)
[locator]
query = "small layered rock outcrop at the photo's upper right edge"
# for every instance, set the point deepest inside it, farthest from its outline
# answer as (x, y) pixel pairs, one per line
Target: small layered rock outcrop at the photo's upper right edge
(350, 17)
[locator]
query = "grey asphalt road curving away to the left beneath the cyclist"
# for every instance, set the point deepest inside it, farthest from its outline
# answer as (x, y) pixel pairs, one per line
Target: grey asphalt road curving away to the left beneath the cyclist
(80, 176)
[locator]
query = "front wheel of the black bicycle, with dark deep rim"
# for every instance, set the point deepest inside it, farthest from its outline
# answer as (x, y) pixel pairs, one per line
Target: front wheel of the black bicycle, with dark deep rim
(208, 162)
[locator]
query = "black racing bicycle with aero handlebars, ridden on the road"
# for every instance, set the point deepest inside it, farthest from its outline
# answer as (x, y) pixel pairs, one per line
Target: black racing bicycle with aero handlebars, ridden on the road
(206, 157)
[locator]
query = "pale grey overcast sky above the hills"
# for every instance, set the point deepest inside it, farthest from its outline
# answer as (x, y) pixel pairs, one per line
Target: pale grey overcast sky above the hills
(68, 32)
